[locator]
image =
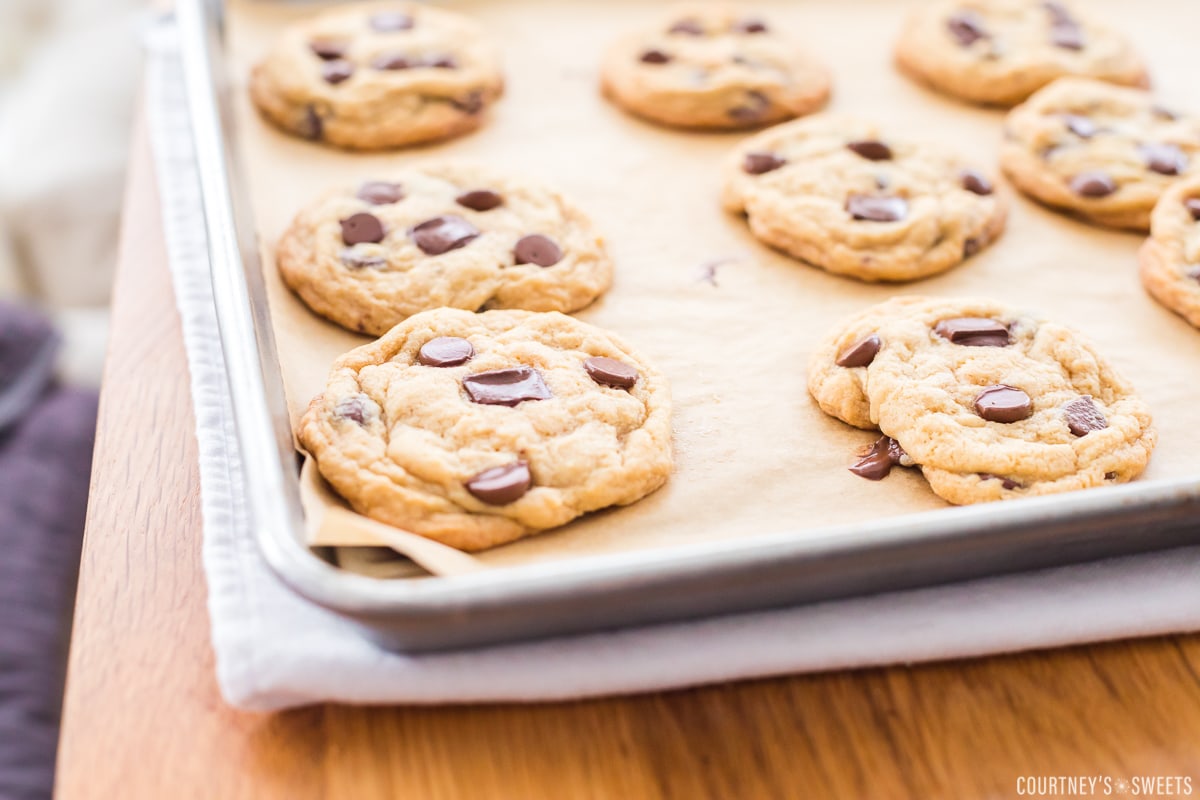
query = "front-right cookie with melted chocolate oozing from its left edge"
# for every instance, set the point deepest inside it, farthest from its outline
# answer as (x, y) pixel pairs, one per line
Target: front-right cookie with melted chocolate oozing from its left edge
(992, 404)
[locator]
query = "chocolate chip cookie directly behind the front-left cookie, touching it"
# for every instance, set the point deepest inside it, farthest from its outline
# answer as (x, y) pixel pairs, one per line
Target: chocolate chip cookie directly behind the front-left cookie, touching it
(445, 234)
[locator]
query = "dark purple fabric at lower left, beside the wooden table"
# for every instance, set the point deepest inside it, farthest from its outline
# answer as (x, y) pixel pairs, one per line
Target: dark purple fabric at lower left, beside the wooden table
(45, 466)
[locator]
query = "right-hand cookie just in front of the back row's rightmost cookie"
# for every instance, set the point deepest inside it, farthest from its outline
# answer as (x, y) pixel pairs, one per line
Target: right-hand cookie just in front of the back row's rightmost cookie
(1101, 152)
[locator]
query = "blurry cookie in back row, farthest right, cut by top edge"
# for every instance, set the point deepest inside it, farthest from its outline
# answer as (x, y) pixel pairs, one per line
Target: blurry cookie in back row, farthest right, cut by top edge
(1000, 52)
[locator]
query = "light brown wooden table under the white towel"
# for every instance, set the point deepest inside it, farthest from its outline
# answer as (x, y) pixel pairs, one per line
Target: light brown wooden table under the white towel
(143, 718)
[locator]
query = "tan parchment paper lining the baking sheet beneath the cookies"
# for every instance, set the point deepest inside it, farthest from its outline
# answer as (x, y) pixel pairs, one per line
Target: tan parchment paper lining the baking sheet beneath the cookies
(754, 453)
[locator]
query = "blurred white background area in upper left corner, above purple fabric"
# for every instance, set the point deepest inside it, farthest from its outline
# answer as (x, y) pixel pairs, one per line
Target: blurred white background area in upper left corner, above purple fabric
(69, 77)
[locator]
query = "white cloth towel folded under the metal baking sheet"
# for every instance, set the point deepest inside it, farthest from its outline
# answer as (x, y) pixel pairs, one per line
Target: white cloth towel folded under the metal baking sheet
(274, 649)
